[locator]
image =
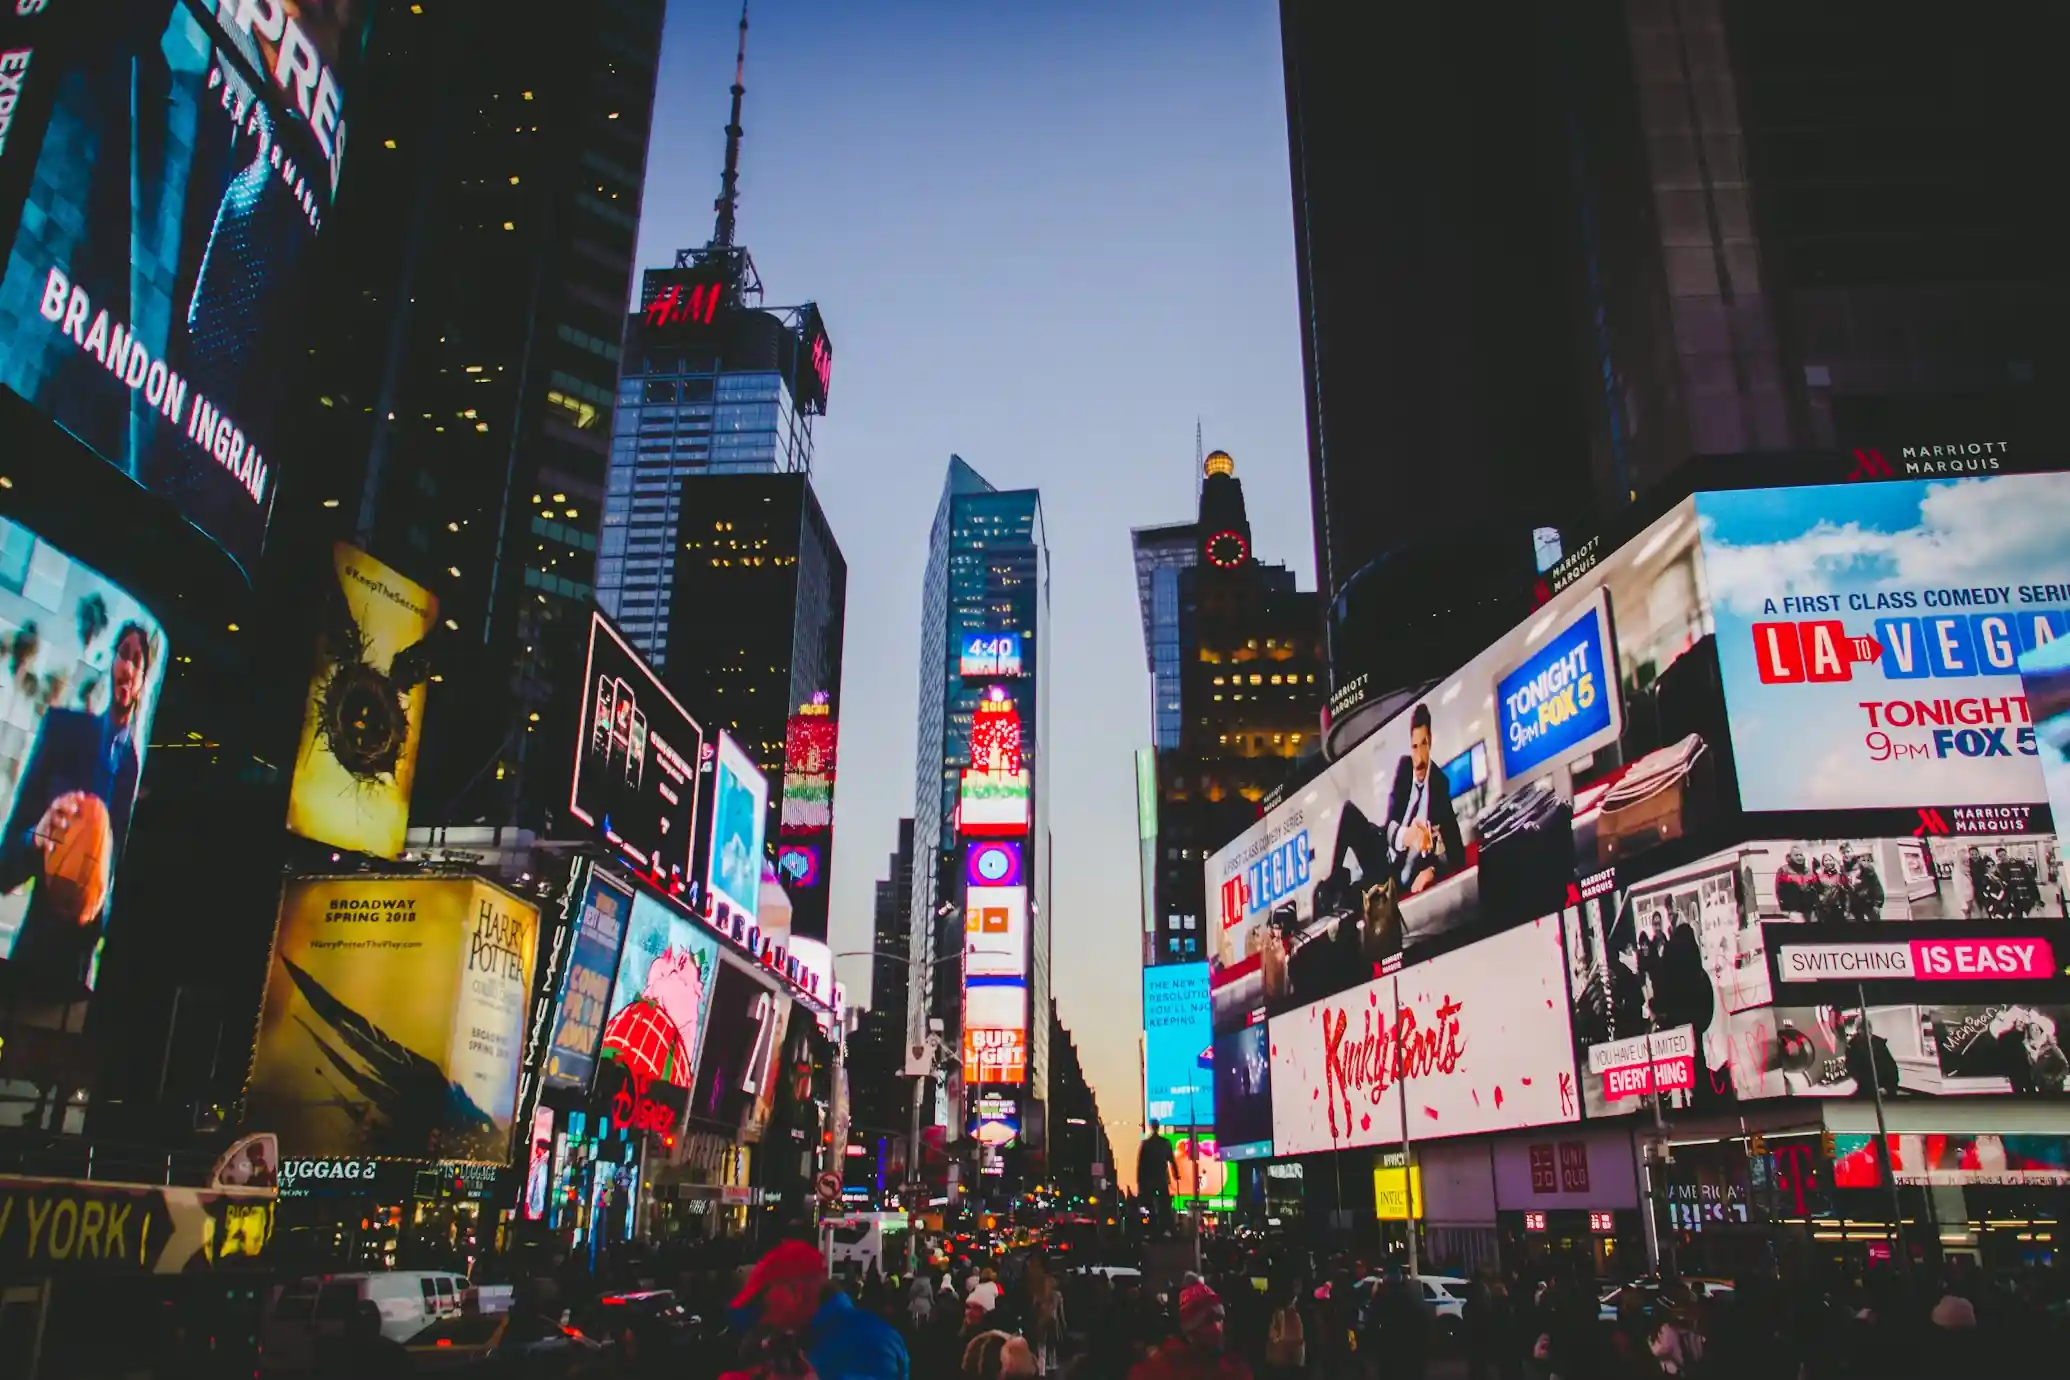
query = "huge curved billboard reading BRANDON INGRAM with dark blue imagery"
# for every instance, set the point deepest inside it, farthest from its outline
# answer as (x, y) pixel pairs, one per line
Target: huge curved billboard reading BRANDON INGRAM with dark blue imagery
(162, 185)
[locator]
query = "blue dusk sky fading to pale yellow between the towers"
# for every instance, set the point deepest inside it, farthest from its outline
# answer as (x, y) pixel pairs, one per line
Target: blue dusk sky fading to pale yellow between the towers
(1044, 239)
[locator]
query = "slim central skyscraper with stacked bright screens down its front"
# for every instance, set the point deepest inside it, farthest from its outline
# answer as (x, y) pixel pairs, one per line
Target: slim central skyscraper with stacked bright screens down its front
(980, 808)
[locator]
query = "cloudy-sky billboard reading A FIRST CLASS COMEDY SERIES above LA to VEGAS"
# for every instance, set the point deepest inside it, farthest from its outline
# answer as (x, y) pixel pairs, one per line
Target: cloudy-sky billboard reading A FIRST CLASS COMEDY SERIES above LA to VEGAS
(1870, 636)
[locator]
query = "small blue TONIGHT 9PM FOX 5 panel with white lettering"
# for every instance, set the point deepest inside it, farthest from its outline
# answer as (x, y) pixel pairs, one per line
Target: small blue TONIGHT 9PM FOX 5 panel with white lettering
(1564, 700)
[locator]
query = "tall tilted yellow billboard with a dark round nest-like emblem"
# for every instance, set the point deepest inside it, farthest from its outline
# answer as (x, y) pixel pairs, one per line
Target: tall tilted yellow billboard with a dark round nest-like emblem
(357, 762)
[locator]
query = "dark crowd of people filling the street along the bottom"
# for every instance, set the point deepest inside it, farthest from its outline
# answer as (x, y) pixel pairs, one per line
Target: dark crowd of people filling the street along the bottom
(1260, 1315)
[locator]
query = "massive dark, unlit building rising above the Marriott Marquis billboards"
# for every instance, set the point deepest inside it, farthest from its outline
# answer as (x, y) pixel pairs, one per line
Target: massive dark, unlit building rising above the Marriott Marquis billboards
(1709, 229)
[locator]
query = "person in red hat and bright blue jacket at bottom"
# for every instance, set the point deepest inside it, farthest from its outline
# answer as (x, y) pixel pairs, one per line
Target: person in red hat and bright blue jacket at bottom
(798, 1323)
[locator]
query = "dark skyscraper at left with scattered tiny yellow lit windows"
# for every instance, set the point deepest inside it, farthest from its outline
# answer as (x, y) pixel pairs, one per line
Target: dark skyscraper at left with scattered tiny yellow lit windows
(459, 427)
